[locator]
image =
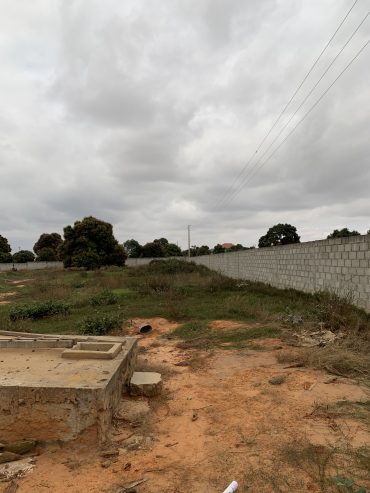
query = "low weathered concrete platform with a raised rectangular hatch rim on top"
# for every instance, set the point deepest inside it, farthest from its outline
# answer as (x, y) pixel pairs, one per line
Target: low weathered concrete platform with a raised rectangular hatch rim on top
(46, 397)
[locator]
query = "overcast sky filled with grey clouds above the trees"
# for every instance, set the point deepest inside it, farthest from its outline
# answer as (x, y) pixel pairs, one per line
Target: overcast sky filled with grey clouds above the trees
(142, 113)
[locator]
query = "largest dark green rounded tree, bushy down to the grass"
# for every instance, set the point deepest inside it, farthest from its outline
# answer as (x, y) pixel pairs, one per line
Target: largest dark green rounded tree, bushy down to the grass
(90, 243)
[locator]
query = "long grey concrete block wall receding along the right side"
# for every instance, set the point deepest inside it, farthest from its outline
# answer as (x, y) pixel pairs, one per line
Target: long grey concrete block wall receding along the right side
(341, 265)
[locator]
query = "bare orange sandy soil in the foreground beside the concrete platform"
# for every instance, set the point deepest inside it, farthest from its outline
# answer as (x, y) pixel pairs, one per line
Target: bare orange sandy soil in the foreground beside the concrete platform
(219, 419)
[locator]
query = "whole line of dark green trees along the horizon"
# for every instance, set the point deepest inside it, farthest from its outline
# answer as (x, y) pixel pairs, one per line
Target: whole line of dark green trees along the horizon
(90, 244)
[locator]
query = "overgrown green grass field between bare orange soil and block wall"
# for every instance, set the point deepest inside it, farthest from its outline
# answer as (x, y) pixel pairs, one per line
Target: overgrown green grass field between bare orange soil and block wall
(187, 293)
